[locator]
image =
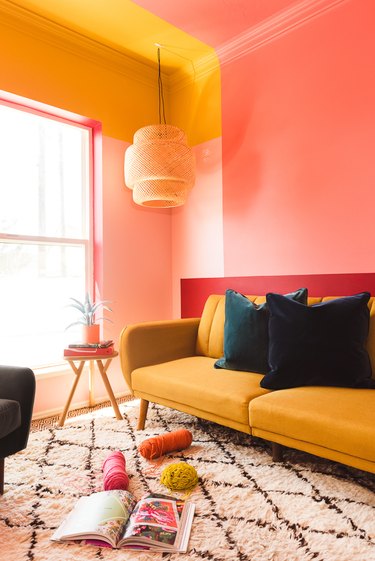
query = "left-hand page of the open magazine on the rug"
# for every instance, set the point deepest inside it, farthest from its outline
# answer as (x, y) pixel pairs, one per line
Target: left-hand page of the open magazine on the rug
(101, 516)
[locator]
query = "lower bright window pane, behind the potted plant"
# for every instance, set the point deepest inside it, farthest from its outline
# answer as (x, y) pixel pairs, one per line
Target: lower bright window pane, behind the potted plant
(36, 282)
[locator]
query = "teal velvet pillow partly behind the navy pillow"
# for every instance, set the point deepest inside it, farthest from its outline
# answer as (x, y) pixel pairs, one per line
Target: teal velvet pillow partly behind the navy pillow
(246, 332)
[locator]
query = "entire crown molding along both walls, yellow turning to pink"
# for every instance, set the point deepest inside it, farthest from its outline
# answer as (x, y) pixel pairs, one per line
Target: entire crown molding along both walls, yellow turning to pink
(43, 29)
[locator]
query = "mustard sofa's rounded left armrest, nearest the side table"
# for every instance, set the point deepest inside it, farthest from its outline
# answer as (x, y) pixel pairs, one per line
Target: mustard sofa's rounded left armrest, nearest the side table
(143, 344)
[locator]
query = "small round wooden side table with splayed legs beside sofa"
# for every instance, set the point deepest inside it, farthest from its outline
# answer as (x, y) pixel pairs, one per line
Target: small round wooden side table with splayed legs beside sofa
(103, 362)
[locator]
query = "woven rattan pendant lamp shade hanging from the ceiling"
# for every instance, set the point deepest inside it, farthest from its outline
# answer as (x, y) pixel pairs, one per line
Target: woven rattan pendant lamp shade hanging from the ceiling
(160, 166)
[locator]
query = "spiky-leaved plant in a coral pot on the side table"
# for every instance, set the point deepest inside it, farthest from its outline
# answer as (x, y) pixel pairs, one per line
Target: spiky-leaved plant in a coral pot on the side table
(88, 309)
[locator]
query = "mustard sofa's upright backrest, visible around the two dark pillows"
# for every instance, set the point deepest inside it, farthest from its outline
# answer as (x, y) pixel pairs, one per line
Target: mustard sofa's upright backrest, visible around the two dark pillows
(210, 340)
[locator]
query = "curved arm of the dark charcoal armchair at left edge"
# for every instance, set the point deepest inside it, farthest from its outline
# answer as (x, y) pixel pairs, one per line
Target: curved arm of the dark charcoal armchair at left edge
(17, 383)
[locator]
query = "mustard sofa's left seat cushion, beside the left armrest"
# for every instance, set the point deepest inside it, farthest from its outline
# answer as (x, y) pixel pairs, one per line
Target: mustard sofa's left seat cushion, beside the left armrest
(194, 381)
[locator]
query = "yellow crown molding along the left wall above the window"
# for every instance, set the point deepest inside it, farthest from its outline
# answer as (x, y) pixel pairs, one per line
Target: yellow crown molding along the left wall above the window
(43, 29)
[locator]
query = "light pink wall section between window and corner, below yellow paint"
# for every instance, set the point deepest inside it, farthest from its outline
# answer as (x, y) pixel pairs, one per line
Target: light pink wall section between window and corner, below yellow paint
(136, 252)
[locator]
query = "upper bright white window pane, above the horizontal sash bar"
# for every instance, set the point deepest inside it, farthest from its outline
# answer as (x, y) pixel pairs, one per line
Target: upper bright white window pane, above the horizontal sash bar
(43, 173)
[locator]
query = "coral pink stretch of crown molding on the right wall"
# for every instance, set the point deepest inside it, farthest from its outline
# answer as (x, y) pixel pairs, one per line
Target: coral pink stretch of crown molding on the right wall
(273, 27)
